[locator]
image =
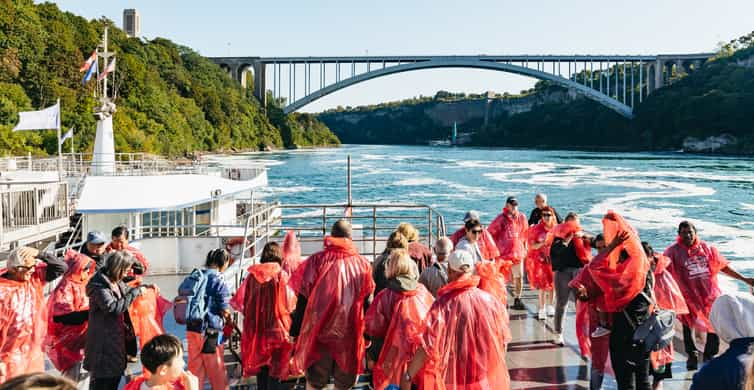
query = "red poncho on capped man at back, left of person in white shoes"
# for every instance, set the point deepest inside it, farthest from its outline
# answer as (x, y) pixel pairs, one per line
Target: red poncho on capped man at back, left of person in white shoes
(509, 233)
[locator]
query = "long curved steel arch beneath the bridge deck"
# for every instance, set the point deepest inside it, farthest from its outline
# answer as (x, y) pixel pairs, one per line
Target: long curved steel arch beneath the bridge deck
(590, 93)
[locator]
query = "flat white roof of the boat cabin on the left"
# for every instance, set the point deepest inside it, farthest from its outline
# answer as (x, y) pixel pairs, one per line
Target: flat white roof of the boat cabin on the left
(124, 194)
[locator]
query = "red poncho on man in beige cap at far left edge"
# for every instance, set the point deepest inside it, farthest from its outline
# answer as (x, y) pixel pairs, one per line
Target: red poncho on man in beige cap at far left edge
(23, 325)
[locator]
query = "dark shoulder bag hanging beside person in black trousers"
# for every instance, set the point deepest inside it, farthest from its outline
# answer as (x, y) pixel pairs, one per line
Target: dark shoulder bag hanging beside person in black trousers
(657, 331)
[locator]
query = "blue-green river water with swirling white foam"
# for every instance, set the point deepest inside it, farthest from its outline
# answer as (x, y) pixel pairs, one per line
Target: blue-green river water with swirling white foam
(654, 191)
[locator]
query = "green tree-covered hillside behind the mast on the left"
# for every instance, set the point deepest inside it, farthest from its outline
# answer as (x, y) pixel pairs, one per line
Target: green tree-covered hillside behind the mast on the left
(171, 100)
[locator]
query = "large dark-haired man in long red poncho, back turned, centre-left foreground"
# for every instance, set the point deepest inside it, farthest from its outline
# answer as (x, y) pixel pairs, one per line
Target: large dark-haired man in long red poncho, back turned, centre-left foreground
(328, 322)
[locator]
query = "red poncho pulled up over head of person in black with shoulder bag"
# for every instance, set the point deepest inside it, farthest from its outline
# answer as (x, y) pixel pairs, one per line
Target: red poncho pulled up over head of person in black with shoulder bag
(620, 282)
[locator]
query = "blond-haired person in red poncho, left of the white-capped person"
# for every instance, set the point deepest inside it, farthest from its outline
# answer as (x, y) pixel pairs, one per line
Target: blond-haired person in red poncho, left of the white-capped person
(394, 321)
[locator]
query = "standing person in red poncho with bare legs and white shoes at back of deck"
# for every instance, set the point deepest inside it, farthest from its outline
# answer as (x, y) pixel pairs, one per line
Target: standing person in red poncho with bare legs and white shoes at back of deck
(538, 267)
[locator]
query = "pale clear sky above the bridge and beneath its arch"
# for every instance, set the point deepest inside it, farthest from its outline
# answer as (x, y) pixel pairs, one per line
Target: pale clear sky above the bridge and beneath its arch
(405, 27)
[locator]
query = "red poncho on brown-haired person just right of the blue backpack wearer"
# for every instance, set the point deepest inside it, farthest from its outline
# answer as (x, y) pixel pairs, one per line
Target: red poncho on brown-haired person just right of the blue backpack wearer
(266, 303)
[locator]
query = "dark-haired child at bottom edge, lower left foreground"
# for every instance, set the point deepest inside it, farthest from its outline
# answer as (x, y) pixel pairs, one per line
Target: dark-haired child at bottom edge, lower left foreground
(162, 357)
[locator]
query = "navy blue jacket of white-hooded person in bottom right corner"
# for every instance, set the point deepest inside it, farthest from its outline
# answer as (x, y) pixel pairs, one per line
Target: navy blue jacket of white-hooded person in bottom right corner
(727, 371)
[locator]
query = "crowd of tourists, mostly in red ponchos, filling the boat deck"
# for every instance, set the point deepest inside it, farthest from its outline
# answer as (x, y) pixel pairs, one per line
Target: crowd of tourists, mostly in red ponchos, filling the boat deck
(415, 317)
